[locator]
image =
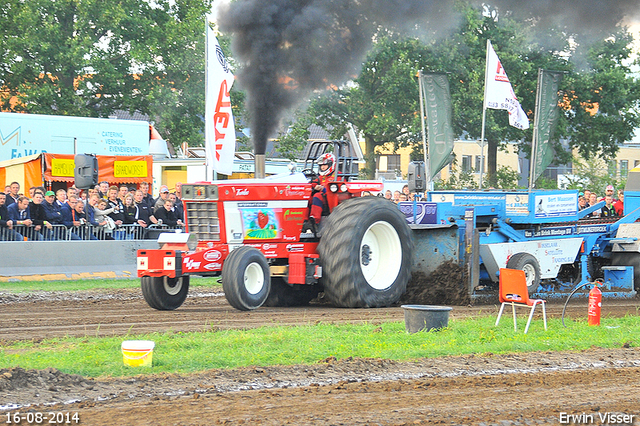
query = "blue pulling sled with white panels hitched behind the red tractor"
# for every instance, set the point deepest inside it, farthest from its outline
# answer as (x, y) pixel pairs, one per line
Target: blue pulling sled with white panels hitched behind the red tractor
(541, 232)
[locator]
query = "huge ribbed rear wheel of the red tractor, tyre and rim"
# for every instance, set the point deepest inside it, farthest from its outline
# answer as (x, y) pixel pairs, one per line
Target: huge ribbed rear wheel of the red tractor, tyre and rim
(366, 253)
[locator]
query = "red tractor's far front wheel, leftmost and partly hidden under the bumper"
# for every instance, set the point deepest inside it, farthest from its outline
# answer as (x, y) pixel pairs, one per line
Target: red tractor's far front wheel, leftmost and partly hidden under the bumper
(164, 293)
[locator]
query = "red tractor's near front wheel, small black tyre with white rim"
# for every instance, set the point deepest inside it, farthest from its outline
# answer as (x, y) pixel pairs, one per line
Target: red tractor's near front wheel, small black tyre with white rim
(246, 279)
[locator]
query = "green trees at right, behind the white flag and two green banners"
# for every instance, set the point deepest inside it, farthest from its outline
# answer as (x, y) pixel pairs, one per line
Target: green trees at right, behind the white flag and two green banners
(383, 100)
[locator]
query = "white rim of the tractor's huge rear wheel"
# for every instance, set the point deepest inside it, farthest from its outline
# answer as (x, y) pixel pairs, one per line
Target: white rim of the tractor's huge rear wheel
(380, 255)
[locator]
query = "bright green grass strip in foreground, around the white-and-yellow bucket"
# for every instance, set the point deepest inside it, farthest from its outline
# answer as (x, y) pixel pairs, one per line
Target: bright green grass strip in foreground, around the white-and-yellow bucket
(307, 344)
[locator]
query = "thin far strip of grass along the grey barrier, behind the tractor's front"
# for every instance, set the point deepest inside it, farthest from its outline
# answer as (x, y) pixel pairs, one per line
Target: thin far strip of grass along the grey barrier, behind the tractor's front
(89, 284)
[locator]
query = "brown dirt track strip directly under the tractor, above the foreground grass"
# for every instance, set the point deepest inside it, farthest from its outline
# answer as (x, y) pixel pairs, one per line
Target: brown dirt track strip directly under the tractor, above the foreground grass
(45, 315)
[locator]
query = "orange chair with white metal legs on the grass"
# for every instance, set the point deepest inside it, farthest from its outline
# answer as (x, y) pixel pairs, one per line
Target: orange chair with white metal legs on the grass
(513, 291)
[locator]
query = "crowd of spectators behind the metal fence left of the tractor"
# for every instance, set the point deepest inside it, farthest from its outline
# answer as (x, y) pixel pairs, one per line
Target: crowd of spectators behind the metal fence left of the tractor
(104, 212)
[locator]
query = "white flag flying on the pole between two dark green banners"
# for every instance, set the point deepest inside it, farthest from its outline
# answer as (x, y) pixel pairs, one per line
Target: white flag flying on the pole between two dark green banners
(498, 93)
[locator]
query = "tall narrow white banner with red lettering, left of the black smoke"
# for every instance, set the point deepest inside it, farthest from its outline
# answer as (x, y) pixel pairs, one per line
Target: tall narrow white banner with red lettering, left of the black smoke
(220, 133)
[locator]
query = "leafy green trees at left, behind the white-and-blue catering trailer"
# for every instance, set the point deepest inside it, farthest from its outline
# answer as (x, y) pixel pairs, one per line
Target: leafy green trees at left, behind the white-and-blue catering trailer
(90, 58)
